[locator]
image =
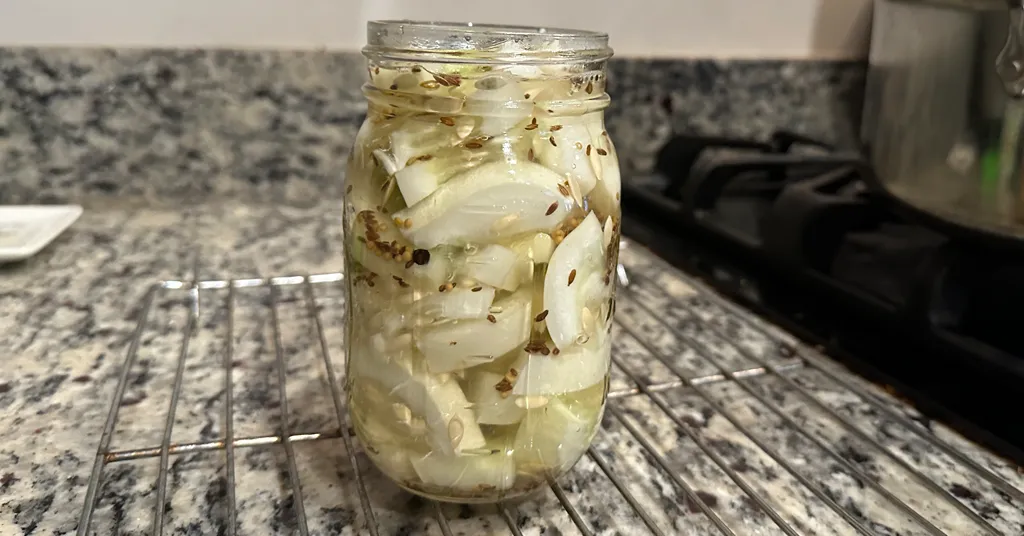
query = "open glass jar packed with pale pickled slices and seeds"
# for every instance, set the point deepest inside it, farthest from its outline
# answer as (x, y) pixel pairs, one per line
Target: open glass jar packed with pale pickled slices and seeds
(482, 230)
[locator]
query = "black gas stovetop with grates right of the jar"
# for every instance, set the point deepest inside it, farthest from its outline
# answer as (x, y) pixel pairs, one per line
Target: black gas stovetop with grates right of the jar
(792, 229)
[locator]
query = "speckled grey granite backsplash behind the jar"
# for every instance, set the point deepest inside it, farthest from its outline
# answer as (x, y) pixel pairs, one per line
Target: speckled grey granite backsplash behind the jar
(166, 126)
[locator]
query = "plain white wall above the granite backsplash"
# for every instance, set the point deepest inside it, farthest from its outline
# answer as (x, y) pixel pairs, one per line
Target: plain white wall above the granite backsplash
(818, 29)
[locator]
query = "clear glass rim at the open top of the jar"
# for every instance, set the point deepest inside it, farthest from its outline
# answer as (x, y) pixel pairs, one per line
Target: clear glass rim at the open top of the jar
(464, 43)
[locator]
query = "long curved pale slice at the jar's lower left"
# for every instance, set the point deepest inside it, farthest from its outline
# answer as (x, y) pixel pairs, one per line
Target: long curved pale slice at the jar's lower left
(440, 401)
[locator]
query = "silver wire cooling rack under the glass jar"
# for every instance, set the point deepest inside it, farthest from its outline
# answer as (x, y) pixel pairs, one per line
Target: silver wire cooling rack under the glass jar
(308, 294)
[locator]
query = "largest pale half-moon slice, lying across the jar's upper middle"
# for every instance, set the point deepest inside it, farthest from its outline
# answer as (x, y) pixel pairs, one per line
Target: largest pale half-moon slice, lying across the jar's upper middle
(489, 202)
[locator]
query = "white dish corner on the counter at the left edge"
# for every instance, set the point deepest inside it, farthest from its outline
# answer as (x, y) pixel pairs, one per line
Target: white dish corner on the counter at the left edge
(26, 230)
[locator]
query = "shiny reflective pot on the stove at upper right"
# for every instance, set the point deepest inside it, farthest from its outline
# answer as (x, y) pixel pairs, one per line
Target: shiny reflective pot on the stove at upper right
(944, 122)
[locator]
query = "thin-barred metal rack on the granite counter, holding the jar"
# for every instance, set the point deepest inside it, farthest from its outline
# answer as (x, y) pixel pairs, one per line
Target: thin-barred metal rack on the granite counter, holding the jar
(629, 295)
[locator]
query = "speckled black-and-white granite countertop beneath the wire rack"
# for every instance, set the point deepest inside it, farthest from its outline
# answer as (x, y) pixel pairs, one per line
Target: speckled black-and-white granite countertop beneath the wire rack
(68, 314)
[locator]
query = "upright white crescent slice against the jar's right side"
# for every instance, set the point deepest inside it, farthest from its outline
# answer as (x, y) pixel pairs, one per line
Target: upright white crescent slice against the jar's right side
(574, 285)
